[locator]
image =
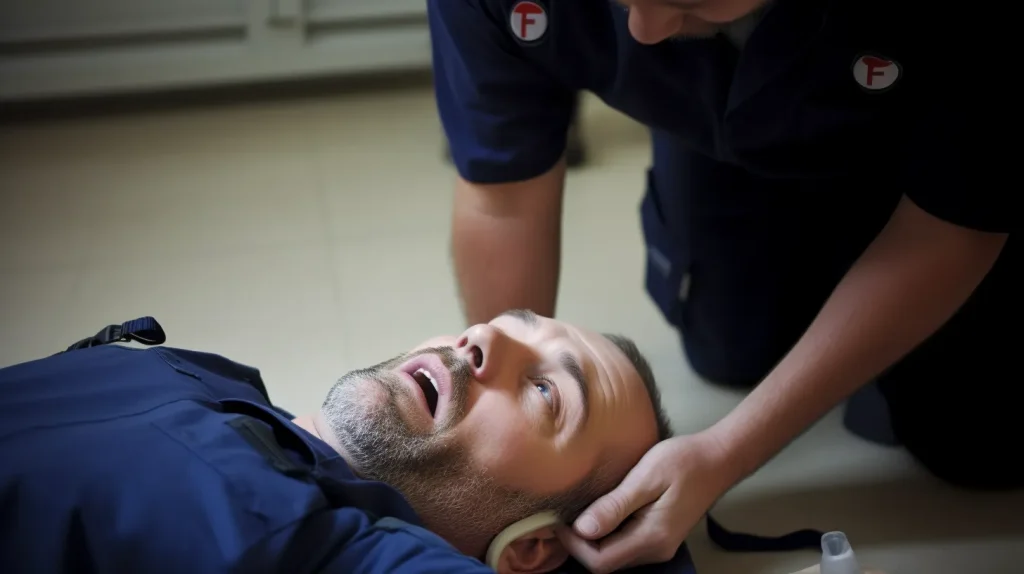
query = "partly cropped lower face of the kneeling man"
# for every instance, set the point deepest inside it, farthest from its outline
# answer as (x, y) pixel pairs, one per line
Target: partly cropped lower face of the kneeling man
(655, 21)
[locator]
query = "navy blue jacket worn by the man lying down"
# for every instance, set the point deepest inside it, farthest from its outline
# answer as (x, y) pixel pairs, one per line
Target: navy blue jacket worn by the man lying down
(115, 460)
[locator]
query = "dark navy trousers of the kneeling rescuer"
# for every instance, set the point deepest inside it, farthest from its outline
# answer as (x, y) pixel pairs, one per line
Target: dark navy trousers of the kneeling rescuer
(742, 264)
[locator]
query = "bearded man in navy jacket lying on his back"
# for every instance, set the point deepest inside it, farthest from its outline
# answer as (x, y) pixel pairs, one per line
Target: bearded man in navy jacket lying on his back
(124, 461)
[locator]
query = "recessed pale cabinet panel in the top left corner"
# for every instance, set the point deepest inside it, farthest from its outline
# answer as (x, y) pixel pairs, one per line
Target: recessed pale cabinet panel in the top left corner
(55, 21)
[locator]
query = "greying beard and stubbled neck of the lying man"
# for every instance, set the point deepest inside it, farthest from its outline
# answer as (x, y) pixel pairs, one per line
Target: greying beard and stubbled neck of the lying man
(434, 471)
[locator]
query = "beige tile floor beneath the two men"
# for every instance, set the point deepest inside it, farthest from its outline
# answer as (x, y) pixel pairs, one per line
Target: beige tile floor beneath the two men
(309, 237)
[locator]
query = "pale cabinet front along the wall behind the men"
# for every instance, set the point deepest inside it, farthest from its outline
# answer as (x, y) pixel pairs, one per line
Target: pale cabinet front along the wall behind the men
(89, 48)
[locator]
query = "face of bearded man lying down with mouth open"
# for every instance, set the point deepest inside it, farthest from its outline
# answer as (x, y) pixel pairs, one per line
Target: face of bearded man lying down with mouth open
(486, 428)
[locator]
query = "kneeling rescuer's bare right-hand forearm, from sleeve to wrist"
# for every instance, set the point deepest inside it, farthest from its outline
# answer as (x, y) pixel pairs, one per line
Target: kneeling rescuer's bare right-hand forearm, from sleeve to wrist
(911, 281)
